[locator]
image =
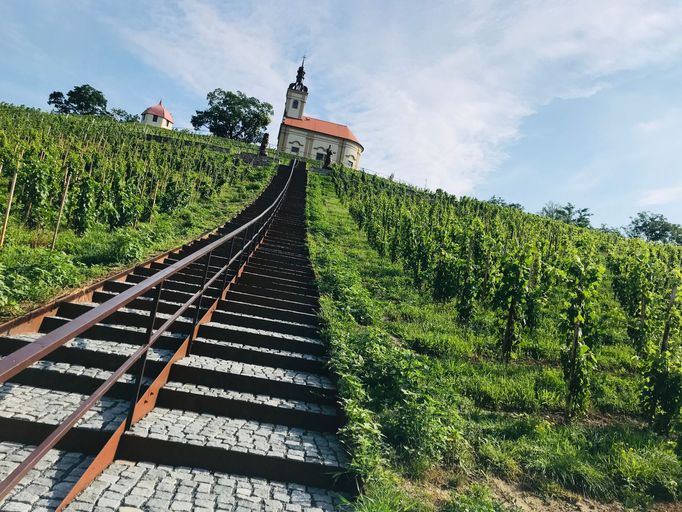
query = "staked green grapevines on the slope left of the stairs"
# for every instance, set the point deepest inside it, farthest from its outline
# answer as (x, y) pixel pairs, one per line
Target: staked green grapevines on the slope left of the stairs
(77, 171)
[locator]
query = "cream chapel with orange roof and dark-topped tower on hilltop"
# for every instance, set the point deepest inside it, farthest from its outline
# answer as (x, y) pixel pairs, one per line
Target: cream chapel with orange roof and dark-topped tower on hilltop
(310, 137)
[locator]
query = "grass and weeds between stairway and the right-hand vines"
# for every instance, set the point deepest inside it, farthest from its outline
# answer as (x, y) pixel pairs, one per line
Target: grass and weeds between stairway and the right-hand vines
(430, 412)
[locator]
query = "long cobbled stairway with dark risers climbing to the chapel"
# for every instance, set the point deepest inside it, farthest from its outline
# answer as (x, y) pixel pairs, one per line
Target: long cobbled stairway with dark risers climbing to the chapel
(248, 421)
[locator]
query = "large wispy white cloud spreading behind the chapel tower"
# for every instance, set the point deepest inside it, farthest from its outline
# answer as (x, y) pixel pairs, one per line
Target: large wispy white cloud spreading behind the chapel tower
(434, 93)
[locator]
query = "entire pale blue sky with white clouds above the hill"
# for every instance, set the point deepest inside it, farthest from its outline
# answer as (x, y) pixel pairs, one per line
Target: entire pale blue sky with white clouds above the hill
(533, 101)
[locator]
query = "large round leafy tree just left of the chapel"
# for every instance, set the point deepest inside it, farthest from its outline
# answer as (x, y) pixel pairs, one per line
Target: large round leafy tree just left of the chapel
(234, 116)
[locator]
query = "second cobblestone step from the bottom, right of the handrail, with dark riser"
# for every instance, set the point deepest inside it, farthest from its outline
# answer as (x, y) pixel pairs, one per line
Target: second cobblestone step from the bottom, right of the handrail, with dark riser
(166, 436)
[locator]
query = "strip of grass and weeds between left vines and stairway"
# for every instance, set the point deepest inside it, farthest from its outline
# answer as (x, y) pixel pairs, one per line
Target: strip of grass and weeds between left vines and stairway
(31, 274)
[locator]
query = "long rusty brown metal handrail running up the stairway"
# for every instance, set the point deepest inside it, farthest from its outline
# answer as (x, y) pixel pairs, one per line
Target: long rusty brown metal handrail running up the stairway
(22, 358)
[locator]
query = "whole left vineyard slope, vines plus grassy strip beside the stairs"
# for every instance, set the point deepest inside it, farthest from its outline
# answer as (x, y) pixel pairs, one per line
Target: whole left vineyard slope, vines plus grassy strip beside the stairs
(81, 195)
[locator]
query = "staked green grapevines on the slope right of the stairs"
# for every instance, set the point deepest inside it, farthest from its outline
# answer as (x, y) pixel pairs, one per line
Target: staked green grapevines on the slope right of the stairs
(531, 271)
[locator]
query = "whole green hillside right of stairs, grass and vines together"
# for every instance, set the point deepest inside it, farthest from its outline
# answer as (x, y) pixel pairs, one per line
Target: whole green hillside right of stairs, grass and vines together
(441, 417)
